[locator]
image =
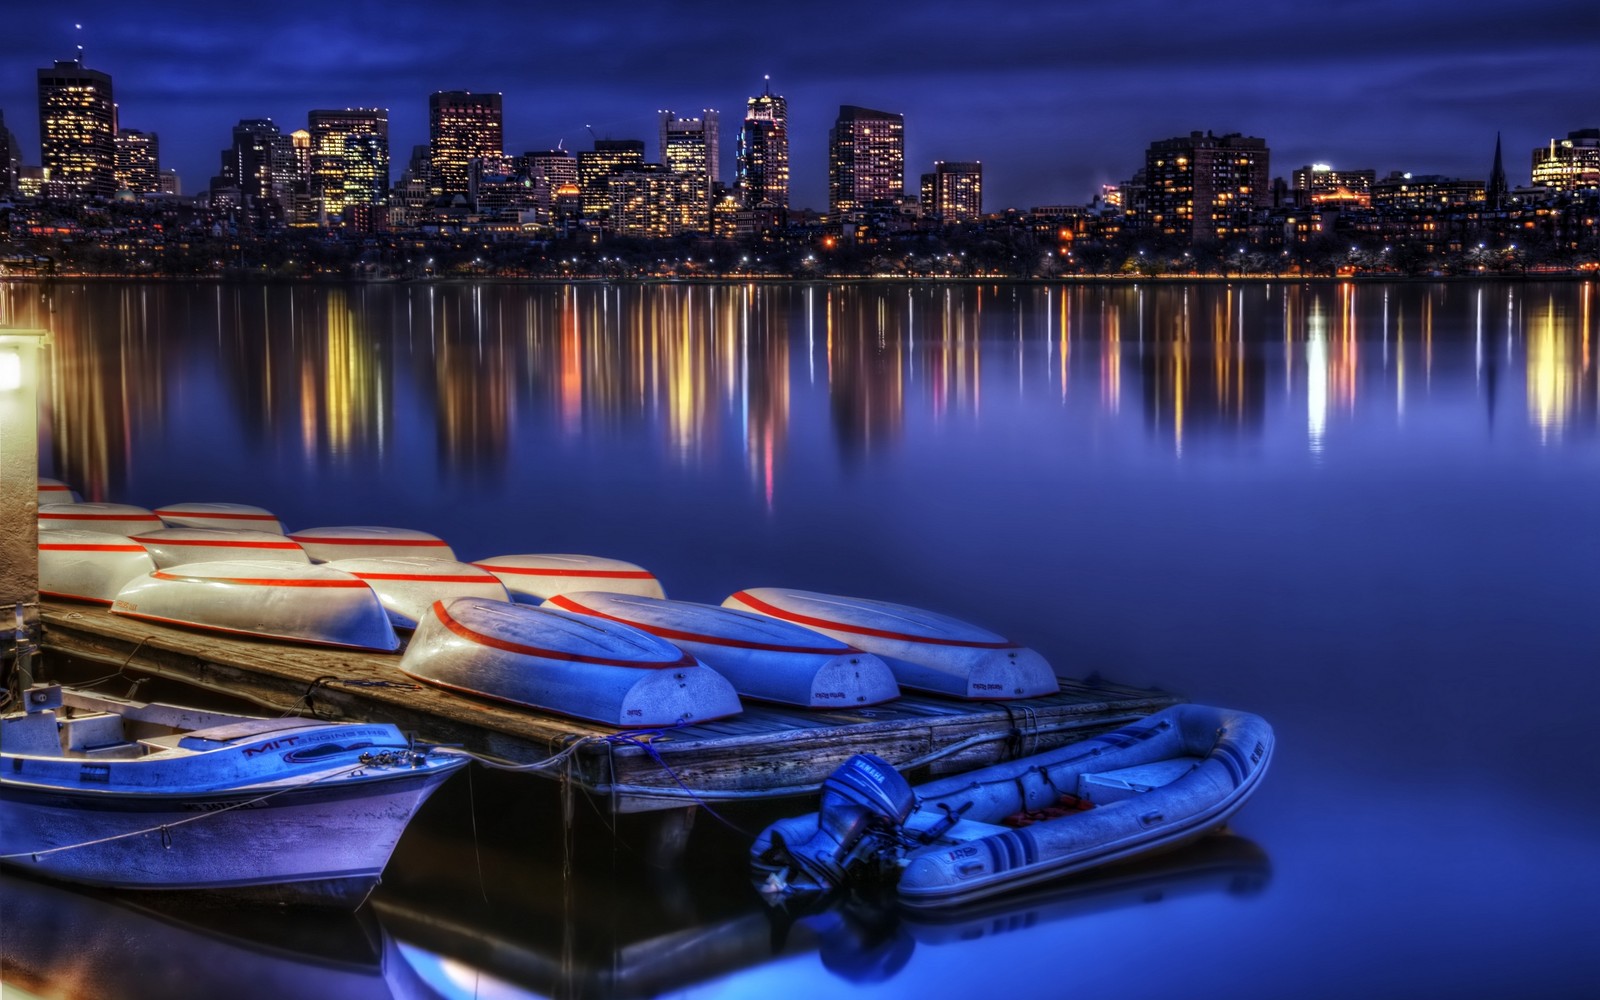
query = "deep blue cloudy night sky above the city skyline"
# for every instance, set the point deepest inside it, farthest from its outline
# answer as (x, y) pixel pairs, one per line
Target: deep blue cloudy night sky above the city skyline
(1055, 98)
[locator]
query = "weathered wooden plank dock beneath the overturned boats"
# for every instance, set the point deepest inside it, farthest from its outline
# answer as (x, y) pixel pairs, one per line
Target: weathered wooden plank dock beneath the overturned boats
(764, 753)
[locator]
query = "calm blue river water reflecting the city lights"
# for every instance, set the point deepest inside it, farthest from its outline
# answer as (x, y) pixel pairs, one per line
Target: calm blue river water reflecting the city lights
(1366, 513)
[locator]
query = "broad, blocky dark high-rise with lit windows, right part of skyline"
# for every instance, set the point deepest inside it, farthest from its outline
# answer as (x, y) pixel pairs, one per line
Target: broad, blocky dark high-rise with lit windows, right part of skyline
(1204, 186)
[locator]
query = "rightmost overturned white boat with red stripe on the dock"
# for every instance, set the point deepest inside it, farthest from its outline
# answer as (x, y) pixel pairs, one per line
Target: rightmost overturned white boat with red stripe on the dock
(926, 650)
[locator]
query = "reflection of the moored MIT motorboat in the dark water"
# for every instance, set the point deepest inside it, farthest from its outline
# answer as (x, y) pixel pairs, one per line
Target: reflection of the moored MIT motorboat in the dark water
(68, 942)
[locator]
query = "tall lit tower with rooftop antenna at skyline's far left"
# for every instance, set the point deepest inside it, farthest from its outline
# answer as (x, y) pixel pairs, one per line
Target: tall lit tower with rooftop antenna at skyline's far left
(78, 129)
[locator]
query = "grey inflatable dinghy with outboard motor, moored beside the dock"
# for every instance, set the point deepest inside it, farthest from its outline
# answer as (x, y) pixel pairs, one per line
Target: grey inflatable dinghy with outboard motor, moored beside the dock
(1150, 786)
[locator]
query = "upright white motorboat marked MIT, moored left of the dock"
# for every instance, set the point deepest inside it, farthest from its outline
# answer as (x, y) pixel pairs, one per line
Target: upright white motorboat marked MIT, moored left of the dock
(135, 796)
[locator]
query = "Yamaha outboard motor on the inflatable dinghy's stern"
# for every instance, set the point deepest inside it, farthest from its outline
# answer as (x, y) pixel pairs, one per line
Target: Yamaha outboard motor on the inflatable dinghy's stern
(865, 804)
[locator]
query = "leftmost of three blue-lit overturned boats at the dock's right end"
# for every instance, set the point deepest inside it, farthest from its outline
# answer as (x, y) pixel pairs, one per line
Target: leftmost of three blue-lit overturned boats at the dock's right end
(572, 665)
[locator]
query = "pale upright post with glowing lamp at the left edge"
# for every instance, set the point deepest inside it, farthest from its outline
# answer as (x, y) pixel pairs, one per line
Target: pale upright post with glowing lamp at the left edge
(20, 503)
